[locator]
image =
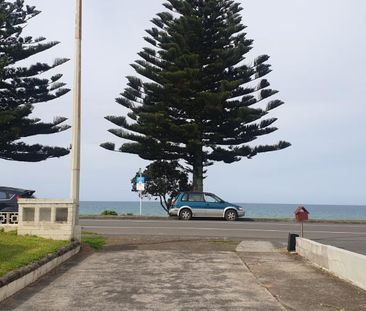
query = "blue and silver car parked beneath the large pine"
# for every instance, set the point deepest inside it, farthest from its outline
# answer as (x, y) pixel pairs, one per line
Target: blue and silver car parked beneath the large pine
(203, 204)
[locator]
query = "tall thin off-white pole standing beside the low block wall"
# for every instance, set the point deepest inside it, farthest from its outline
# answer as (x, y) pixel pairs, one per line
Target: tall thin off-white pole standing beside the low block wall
(76, 124)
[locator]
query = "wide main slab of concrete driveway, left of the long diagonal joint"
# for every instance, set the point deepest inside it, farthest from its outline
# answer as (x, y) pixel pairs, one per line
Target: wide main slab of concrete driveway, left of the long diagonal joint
(148, 280)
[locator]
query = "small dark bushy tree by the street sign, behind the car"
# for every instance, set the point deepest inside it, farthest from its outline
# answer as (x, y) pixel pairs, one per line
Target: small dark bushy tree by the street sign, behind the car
(164, 179)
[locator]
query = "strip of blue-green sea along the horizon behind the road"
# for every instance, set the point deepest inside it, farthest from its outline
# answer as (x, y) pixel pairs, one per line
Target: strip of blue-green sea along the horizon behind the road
(253, 210)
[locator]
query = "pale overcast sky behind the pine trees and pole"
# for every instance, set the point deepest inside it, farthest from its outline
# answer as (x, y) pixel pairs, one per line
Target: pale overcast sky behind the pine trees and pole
(317, 53)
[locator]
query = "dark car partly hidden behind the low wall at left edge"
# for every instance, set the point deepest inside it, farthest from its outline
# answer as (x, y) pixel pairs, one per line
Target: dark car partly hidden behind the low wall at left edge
(9, 198)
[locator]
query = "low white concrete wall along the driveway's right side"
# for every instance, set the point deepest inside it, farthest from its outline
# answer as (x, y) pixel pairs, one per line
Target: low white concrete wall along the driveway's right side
(344, 264)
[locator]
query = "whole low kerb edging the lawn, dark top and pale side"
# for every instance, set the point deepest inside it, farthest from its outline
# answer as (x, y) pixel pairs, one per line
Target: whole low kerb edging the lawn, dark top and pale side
(19, 279)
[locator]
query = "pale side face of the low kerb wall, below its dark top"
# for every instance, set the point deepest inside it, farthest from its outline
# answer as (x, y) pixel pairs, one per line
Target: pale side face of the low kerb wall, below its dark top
(15, 286)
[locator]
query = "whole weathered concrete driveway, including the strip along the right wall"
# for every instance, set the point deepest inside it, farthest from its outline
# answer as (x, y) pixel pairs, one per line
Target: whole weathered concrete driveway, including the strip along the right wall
(157, 273)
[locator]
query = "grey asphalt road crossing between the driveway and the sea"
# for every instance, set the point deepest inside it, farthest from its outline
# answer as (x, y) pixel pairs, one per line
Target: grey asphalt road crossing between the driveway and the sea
(351, 237)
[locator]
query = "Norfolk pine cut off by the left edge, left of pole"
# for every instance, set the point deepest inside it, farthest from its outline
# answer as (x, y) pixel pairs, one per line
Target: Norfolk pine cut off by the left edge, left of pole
(22, 87)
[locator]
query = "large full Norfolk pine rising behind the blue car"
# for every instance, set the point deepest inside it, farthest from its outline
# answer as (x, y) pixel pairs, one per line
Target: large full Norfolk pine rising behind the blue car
(198, 97)
